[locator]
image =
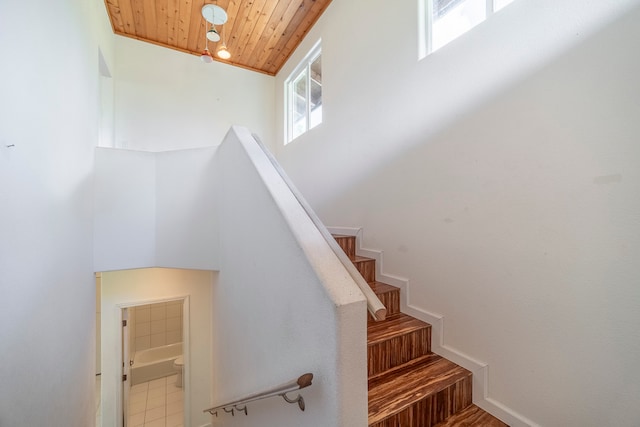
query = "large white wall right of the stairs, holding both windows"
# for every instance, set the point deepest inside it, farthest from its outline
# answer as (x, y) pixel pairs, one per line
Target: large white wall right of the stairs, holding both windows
(500, 176)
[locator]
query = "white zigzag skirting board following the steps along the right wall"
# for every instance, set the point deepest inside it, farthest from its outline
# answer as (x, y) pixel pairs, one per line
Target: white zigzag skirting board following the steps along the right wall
(479, 369)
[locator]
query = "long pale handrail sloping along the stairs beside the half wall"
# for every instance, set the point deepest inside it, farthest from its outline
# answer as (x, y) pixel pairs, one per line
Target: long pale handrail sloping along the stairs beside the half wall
(374, 305)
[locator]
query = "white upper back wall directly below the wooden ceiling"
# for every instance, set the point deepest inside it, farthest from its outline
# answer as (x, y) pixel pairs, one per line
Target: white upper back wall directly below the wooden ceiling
(167, 100)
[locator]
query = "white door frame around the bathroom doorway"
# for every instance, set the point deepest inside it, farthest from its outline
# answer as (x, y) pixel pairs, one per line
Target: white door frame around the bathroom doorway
(186, 377)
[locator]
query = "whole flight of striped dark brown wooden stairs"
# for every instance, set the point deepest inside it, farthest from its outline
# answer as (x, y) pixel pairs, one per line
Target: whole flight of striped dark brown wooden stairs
(410, 386)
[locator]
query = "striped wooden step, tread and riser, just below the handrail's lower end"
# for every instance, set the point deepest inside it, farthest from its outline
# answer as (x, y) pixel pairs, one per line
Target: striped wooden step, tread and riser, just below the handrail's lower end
(396, 341)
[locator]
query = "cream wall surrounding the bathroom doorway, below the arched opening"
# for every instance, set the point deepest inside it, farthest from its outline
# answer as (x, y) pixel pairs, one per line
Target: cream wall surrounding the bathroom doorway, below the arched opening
(136, 287)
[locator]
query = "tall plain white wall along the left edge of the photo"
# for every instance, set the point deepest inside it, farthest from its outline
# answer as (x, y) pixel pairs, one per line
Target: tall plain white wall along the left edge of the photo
(49, 113)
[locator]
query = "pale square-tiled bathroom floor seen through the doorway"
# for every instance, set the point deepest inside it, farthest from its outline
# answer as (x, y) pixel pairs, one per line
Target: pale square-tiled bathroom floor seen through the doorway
(157, 403)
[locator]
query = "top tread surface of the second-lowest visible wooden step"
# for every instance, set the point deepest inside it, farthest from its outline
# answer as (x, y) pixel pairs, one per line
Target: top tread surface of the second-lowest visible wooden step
(396, 391)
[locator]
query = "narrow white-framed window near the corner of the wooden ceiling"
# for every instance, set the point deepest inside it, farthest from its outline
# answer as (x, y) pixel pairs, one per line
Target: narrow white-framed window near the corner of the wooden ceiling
(303, 95)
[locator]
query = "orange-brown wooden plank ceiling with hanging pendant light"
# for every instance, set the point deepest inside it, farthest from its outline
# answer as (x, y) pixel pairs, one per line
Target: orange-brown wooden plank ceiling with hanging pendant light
(260, 34)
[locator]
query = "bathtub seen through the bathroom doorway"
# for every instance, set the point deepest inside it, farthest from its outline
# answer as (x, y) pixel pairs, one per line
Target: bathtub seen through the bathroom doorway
(154, 363)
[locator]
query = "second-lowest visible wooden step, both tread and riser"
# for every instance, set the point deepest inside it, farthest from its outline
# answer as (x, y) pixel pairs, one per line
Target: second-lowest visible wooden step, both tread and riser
(419, 394)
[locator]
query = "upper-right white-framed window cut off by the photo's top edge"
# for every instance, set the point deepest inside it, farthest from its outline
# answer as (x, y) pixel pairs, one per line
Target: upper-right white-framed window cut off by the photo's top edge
(446, 20)
